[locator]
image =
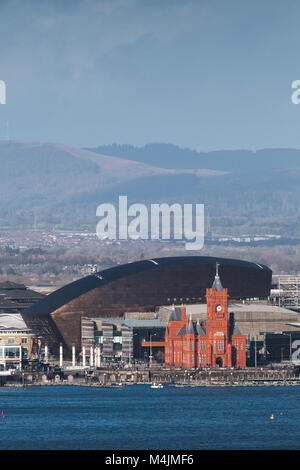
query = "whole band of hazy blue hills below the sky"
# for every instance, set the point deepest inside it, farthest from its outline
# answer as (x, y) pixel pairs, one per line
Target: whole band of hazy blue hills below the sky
(243, 190)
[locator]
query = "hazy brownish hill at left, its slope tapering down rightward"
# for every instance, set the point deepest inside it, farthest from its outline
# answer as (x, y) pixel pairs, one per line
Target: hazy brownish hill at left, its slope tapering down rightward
(48, 175)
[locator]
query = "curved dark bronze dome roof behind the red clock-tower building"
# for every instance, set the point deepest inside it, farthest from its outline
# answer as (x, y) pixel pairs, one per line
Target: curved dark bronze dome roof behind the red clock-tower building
(141, 286)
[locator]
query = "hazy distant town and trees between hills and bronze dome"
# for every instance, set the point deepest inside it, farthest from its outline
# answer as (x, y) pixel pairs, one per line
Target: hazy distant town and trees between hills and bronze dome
(59, 256)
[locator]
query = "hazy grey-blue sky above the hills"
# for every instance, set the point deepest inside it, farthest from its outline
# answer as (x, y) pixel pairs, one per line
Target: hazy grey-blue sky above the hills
(203, 74)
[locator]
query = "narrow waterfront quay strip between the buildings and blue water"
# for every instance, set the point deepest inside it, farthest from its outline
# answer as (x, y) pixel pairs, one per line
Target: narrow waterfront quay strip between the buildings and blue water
(178, 378)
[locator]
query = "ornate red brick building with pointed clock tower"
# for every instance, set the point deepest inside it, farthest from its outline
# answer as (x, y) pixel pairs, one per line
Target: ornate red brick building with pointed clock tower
(213, 343)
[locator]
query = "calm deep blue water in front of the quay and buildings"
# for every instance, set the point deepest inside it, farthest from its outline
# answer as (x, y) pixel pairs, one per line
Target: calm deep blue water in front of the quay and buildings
(138, 417)
